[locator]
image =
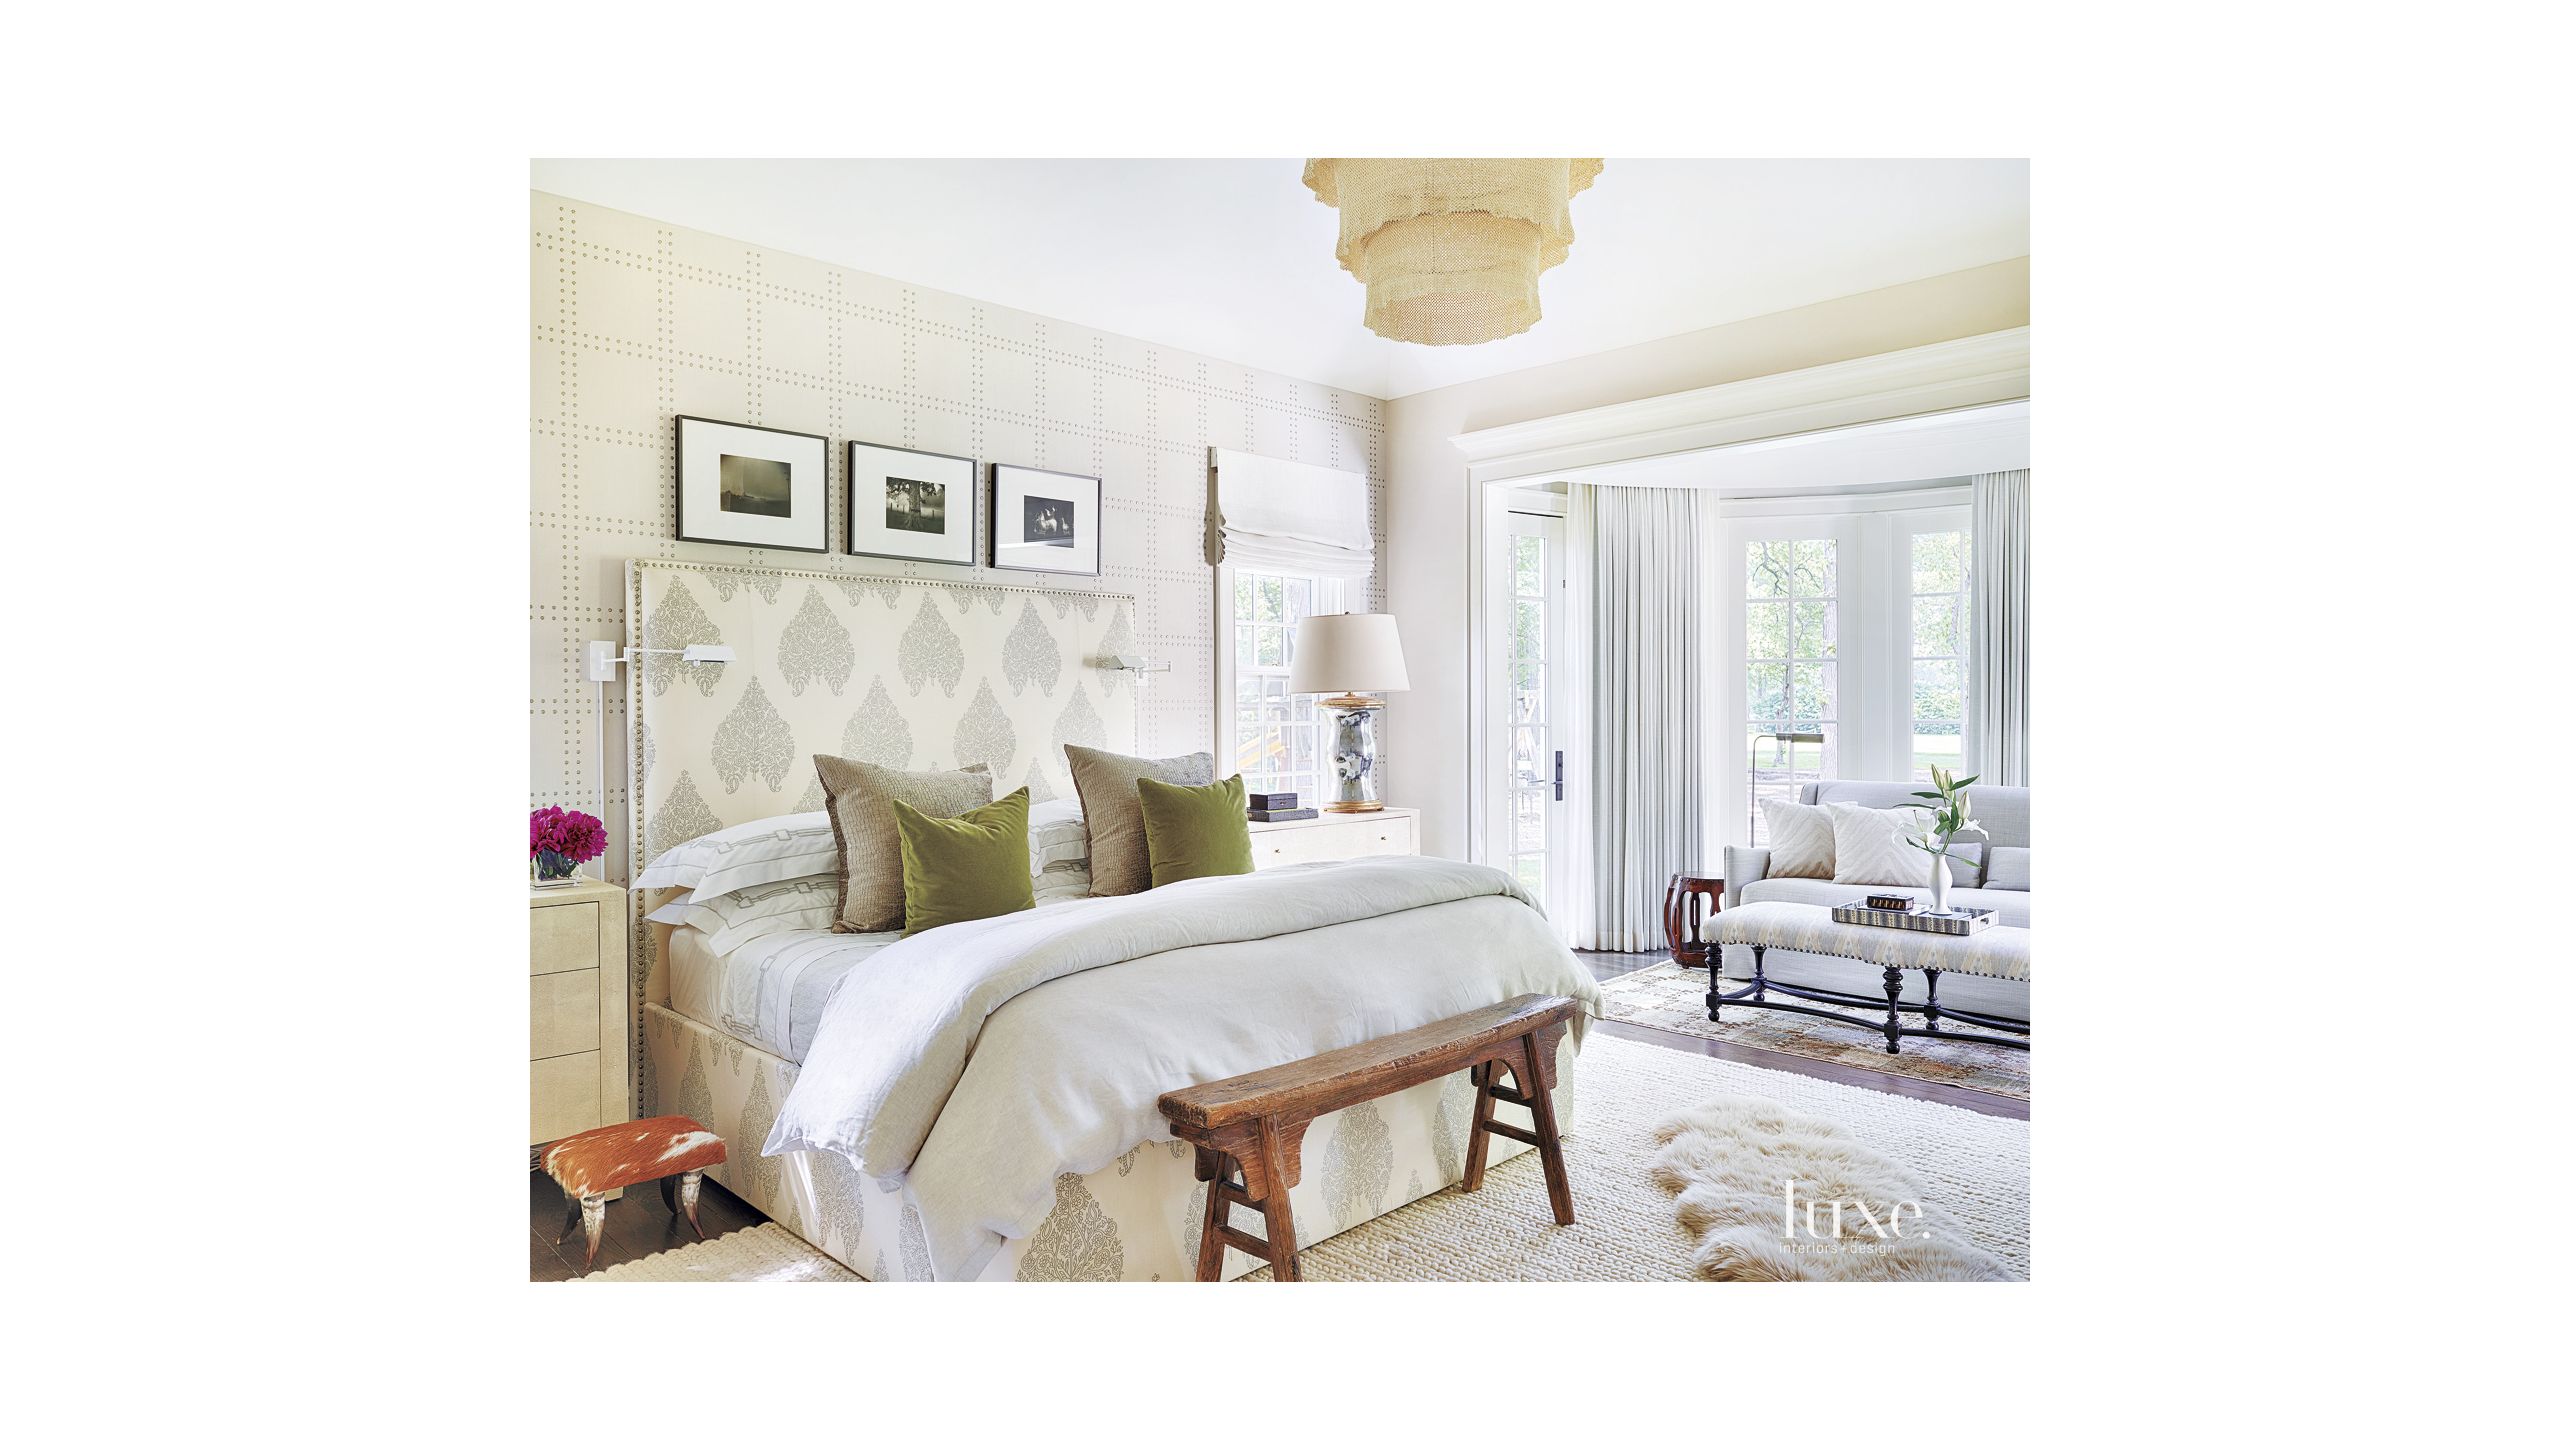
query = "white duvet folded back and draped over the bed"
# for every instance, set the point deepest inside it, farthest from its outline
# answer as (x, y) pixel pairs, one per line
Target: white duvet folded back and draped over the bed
(982, 1062)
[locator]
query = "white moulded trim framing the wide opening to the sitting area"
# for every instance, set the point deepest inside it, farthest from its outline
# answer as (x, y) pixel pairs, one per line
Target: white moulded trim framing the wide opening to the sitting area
(1665, 429)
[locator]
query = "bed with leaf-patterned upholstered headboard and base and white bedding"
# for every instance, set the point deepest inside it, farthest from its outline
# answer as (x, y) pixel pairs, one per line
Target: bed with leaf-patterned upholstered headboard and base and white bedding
(977, 1103)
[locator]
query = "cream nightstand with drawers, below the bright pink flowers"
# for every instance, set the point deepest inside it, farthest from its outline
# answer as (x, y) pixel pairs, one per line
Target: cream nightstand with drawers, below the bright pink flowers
(580, 1008)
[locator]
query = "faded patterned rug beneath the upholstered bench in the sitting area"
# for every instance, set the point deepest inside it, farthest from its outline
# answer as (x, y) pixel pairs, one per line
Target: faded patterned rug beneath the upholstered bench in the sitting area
(1670, 998)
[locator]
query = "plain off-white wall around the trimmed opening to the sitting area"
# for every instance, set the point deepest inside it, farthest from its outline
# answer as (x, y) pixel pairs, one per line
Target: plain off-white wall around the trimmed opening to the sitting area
(1427, 501)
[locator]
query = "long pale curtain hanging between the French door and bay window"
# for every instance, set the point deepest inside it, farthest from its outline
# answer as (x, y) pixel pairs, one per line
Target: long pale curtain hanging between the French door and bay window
(1635, 708)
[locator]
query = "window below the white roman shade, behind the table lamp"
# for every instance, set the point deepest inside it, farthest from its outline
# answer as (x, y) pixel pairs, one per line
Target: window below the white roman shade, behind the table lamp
(1274, 734)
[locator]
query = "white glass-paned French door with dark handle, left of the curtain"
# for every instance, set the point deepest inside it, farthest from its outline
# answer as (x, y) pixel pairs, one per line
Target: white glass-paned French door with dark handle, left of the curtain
(1527, 785)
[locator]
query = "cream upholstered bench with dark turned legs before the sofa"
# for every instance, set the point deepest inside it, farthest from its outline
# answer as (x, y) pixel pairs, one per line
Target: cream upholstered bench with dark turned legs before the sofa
(1809, 929)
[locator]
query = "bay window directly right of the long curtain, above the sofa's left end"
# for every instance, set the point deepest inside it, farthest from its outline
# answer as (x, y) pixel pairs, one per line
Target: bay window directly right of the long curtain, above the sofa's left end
(1791, 662)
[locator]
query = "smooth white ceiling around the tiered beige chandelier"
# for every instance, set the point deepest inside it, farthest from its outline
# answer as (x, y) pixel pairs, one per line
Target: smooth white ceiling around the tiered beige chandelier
(1235, 258)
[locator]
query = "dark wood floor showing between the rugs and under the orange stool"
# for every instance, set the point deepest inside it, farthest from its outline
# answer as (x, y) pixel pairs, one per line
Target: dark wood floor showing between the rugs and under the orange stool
(641, 1226)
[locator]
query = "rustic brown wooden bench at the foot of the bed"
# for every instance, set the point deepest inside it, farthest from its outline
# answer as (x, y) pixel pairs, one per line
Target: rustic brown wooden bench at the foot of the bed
(1248, 1129)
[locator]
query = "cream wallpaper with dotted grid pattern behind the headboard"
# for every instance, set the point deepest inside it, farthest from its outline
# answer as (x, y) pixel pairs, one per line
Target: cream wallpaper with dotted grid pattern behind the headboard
(639, 322)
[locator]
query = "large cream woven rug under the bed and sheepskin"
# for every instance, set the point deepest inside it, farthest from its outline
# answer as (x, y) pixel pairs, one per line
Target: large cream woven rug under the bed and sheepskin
(1967, 1167)
